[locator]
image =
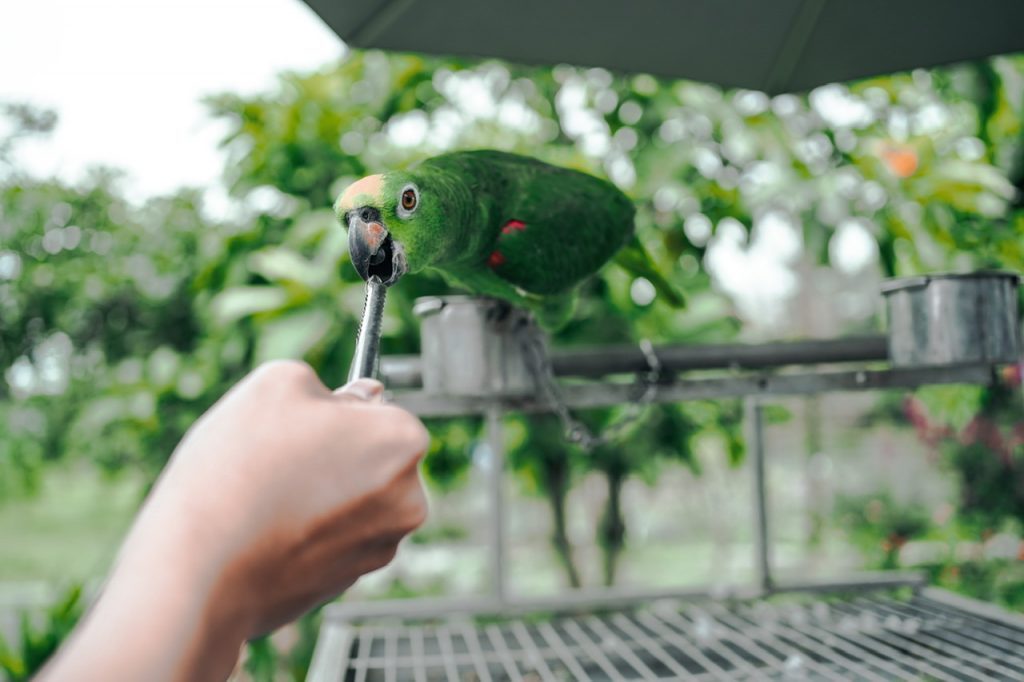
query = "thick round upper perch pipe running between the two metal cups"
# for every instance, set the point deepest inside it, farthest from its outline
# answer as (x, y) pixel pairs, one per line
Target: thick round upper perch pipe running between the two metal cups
(407, 371)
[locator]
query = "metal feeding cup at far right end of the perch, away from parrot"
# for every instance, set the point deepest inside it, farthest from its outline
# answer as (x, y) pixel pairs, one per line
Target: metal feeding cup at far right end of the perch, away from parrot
(942, 320)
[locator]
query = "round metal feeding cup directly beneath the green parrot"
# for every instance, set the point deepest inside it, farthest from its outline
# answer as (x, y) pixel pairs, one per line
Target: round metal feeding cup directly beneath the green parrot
(476, 347)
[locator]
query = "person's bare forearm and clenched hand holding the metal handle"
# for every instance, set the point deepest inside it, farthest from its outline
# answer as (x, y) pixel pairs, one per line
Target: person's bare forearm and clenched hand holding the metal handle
(278, 499)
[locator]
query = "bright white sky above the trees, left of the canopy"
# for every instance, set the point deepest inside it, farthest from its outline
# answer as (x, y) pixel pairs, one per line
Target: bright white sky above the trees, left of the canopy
(126, 78)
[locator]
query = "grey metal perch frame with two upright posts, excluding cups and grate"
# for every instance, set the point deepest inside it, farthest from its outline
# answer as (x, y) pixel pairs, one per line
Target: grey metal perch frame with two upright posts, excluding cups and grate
(750, 371)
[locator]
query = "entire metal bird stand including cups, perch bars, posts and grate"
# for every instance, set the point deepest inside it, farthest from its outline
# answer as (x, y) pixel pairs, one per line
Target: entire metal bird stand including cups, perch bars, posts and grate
(871, 633)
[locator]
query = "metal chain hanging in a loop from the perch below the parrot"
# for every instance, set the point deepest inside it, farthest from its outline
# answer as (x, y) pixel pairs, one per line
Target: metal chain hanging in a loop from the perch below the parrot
(577, 433)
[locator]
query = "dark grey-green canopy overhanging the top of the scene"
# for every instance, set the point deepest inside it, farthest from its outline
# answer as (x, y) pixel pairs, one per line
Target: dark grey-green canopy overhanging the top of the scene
(771, 46)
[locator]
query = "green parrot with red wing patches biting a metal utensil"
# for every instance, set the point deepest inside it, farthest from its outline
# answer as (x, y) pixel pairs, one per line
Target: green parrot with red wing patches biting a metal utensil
(496, 225)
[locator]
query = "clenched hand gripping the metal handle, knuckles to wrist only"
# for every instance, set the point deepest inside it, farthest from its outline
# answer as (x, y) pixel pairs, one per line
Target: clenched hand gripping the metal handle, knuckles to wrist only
(296, 491)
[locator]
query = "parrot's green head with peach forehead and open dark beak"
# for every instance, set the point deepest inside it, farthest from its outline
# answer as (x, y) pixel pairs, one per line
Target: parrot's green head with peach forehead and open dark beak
(395, 225)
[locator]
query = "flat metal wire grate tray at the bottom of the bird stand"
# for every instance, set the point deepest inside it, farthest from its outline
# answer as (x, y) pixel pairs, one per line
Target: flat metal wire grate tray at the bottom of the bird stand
(866, 637)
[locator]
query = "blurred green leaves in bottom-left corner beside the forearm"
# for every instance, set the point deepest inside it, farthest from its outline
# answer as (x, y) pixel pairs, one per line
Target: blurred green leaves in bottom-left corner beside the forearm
(39, 638)
